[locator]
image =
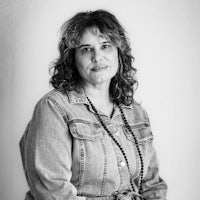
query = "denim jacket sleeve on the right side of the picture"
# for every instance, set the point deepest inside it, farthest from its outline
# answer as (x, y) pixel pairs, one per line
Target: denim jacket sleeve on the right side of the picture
(154, 187)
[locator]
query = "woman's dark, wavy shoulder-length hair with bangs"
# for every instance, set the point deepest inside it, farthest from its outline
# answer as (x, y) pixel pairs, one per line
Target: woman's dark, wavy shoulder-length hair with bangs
(65, 76)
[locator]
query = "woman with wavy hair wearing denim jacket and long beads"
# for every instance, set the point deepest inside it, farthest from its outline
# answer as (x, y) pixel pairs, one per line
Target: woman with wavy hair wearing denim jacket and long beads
(88, 138)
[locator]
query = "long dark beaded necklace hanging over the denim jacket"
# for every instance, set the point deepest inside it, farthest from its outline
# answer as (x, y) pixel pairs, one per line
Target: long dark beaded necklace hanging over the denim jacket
(119, 145)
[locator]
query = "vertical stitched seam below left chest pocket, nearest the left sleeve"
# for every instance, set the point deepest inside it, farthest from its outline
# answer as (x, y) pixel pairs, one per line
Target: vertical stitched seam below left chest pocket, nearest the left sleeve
(82, 168)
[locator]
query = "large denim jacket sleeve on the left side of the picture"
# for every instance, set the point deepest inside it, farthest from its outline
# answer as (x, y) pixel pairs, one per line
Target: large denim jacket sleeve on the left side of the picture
(47, 155)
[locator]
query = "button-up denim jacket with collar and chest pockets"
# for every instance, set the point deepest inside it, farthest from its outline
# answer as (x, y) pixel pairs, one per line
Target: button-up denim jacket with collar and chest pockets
(67, 154)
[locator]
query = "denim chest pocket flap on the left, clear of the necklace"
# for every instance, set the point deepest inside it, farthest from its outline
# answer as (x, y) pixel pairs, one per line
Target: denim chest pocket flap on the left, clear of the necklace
(86, 130)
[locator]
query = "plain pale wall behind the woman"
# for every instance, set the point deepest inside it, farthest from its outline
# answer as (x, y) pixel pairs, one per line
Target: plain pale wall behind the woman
(166, 44)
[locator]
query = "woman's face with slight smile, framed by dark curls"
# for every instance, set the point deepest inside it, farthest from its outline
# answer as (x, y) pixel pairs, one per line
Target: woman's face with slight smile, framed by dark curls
(96, 58)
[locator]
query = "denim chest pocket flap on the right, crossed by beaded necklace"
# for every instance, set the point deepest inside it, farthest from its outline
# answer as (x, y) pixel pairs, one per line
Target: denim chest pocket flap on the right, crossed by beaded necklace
(141, 131)
